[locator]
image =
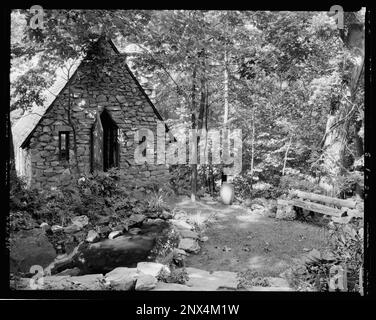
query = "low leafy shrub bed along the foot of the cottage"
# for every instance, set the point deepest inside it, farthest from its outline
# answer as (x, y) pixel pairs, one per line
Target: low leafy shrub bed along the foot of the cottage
(97, 195)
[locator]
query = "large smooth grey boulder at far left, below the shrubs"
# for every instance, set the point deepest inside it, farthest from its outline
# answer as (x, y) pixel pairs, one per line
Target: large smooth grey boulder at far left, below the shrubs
(28, 248)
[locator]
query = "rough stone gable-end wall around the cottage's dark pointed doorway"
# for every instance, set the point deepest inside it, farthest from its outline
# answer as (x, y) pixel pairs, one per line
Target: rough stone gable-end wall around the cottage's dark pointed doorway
(96, 85)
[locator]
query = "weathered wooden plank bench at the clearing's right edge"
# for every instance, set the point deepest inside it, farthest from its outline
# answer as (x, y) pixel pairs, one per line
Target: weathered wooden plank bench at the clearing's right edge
(322, 204)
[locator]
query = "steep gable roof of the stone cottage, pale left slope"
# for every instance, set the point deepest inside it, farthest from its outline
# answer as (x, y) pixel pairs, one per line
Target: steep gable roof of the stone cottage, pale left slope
(25, 127)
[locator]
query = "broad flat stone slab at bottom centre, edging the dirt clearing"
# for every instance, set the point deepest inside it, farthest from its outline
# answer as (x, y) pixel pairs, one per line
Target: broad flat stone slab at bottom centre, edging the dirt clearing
(202, 280)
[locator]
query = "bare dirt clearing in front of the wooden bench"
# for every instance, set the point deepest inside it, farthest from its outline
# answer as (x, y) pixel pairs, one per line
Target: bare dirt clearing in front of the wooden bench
(242, 241)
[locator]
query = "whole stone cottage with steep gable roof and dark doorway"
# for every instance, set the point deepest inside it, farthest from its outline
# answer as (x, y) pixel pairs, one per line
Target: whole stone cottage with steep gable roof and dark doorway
(107, 105)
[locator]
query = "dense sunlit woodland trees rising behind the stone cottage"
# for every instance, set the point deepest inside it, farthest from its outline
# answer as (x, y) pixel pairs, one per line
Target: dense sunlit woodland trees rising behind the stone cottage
(289, 80)
